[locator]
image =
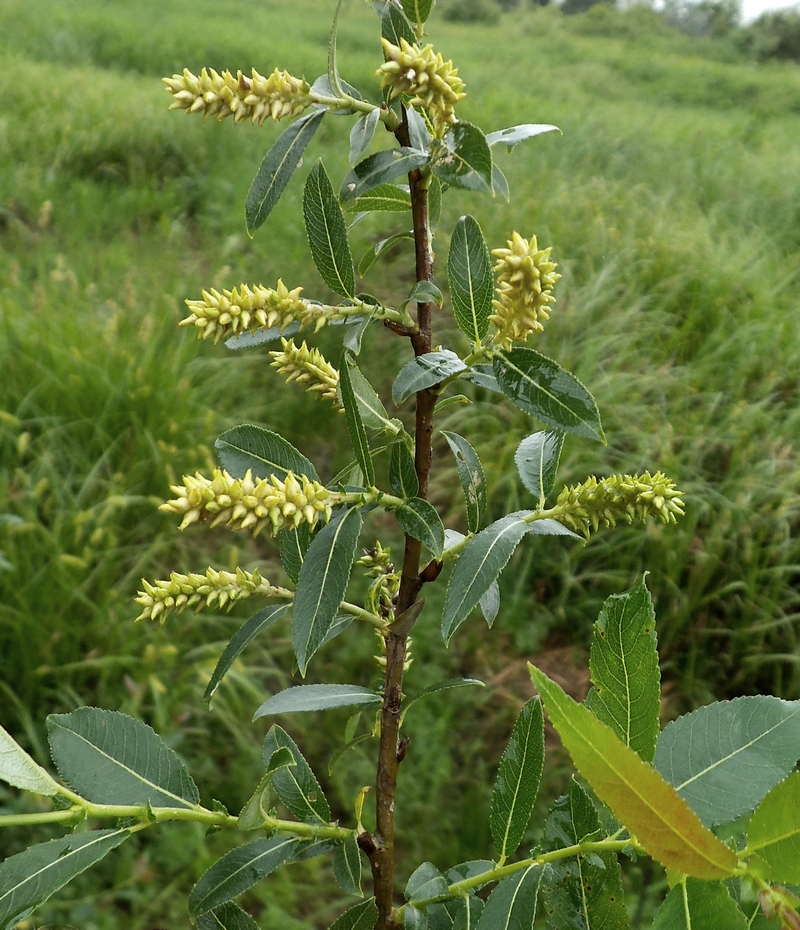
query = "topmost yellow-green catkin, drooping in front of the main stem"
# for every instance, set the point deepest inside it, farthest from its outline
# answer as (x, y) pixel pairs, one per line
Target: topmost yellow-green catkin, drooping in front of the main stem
(425, 77)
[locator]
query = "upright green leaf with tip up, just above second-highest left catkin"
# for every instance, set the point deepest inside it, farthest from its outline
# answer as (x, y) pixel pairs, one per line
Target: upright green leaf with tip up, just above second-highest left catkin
(327, 233)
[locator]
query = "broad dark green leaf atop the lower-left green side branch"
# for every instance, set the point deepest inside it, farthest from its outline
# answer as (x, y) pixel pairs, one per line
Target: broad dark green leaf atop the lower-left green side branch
(110, 758)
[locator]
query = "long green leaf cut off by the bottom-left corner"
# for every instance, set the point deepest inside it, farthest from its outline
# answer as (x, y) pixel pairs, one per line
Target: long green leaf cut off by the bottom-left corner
(29, 878)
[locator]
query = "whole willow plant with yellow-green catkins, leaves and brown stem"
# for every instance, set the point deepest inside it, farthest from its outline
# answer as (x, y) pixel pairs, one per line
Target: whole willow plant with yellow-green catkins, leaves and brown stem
(643, 792)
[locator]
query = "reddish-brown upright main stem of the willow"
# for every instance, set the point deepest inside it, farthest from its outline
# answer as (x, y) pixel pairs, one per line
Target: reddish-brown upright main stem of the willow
(382, 855)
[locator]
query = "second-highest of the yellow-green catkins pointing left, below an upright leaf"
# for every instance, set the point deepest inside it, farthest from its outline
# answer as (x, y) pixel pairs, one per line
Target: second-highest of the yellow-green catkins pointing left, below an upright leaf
(247, 309)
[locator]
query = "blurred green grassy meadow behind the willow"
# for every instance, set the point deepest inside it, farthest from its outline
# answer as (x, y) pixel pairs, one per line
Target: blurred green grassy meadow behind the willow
(672, 200)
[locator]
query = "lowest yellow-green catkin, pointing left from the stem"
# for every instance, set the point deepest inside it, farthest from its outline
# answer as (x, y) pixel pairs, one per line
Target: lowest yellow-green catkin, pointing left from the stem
(214, 588)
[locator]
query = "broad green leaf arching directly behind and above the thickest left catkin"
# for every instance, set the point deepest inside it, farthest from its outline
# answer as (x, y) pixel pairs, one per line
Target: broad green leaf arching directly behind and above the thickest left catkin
(263, 452)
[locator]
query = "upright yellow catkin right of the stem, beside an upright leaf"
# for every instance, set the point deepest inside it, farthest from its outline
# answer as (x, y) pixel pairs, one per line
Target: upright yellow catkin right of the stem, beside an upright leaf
(525, 280)
